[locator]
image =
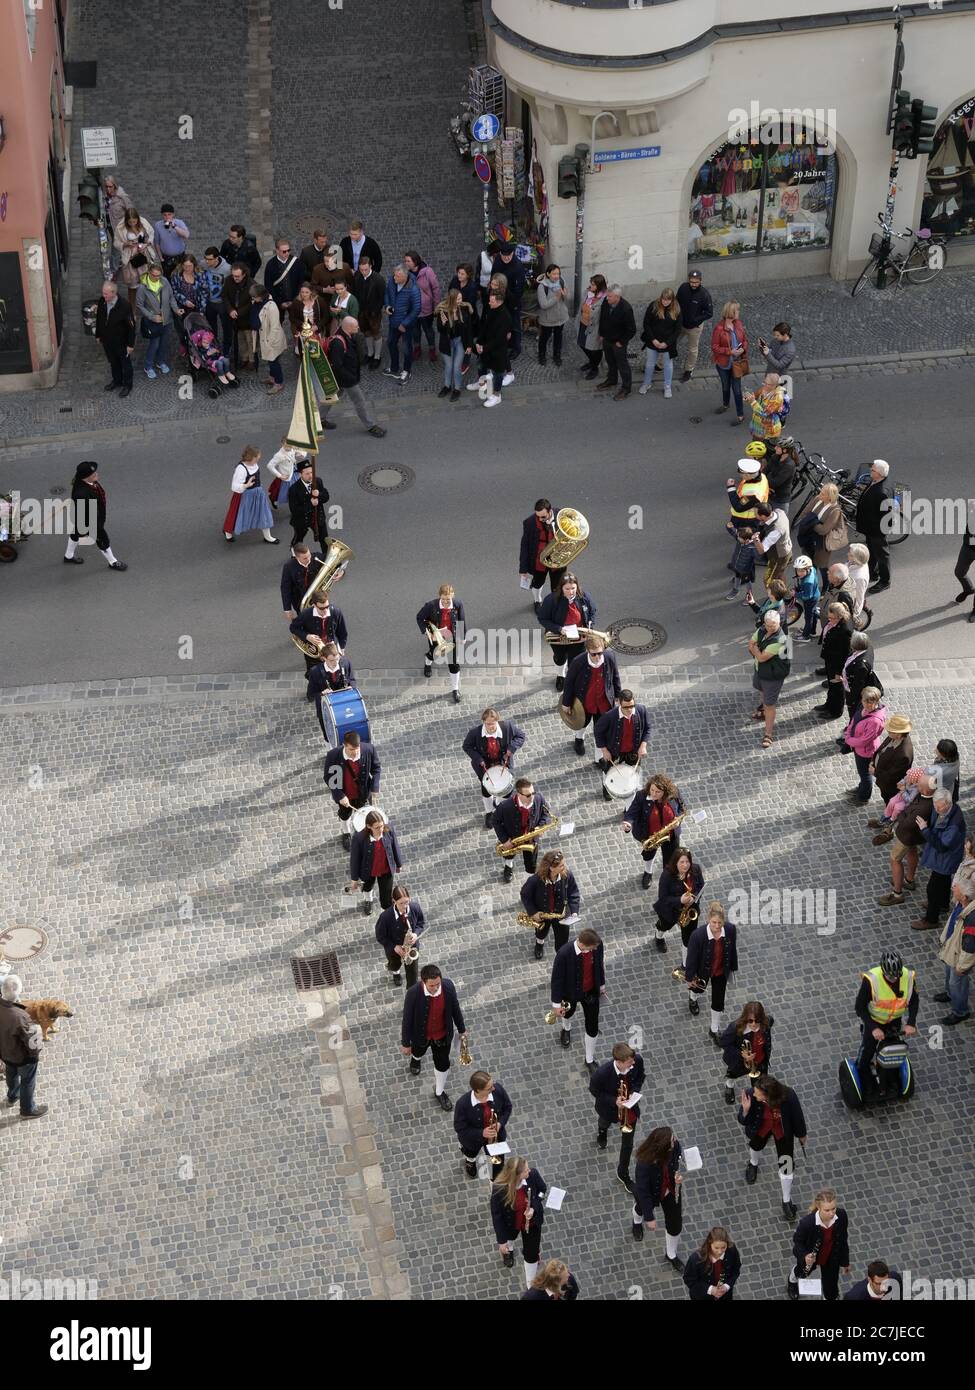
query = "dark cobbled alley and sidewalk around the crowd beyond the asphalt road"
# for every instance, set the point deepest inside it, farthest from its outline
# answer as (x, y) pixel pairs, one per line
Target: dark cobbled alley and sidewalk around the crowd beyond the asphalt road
(378, 148)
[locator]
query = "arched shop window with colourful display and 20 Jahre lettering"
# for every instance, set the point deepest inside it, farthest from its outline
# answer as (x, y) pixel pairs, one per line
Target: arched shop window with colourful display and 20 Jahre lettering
(753, 198)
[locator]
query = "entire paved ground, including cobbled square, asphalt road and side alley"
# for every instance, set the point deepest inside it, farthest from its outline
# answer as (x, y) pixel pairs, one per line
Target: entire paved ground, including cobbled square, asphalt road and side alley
(213, 1131)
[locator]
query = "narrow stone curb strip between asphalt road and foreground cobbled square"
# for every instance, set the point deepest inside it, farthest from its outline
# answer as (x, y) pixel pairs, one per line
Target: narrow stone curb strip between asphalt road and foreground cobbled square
(398, 682)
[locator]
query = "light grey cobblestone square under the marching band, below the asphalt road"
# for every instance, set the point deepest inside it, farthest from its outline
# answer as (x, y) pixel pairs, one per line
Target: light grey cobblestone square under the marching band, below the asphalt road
(176, 843)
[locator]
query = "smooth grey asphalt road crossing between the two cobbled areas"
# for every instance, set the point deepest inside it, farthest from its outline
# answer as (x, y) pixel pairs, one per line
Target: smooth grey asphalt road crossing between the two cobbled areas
(478, 476)
